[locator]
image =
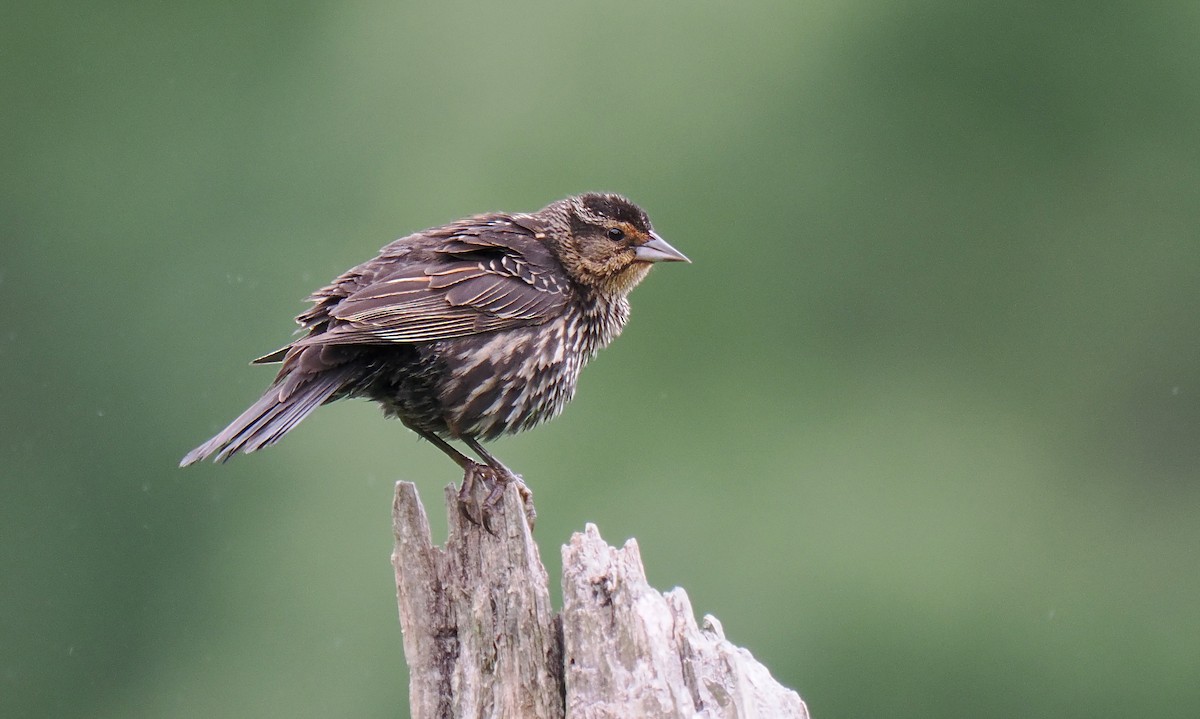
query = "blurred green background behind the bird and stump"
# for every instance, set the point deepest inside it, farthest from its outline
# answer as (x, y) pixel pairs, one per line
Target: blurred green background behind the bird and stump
(920, 426)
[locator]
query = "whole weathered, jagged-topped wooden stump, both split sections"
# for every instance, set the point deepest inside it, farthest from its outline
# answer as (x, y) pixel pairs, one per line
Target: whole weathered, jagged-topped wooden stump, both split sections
(482, 640)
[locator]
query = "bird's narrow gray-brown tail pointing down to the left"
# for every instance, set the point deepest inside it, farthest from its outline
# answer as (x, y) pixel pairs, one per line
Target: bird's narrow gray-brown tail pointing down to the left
(286, 403)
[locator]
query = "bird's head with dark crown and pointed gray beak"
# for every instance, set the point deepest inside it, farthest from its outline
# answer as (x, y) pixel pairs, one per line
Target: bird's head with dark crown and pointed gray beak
(607, 242)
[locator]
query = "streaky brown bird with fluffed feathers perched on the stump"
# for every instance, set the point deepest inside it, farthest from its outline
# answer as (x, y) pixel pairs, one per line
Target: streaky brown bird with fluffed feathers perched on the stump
(465, 333)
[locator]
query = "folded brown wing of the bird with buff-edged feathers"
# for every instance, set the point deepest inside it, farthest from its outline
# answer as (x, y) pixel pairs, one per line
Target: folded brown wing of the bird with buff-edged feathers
(476, 284)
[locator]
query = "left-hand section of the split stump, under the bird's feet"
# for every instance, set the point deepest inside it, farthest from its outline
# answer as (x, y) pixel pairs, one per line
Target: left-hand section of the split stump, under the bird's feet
(481, 637)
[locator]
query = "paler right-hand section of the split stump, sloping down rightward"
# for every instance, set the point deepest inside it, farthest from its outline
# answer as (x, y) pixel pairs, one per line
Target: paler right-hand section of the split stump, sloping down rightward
(633, 652)
